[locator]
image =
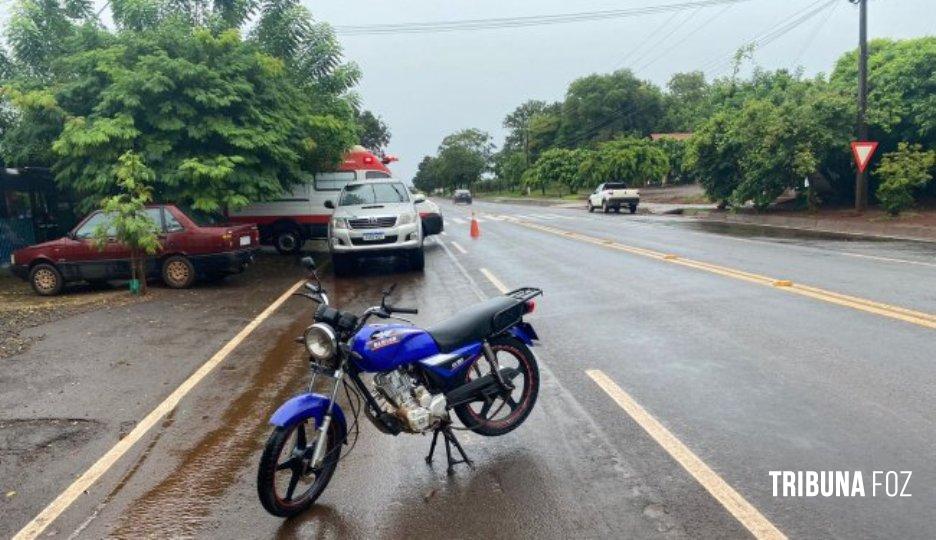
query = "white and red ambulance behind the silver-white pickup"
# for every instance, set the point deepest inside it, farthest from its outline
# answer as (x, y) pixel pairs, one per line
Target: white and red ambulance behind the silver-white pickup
(301, 215)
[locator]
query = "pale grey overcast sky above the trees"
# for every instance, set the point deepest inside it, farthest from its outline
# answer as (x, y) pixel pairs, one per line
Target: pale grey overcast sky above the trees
(426, 86)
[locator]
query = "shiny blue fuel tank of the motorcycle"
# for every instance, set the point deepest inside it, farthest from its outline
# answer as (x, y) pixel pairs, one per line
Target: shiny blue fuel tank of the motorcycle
(388, 346)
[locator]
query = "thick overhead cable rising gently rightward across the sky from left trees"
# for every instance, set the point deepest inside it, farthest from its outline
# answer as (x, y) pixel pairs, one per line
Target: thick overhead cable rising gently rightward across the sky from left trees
(521, 22)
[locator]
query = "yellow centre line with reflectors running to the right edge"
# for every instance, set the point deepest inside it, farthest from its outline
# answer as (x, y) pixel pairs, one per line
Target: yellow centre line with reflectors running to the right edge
(920, 318)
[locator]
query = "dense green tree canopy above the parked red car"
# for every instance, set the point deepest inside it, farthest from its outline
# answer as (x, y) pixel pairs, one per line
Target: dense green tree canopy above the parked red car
(226, 102)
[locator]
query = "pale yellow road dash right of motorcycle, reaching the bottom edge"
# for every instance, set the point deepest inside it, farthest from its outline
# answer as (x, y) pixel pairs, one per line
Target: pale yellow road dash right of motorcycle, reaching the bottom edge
(731, 500)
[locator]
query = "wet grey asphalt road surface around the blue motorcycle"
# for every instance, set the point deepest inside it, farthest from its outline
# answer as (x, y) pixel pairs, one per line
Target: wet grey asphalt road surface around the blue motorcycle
(749, 378)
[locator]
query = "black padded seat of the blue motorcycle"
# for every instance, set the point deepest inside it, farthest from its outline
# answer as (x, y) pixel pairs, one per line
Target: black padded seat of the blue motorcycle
(475, 323)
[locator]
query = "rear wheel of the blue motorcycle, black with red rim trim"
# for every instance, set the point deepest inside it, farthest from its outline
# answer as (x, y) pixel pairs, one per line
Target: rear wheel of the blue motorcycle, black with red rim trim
(478, 421)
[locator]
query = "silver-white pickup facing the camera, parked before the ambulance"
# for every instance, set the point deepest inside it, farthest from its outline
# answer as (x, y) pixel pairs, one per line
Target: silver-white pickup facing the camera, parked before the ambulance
(376, 219)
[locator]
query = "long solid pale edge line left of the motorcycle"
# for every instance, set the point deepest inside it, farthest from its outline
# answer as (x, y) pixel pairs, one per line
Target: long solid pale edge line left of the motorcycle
(45, 518)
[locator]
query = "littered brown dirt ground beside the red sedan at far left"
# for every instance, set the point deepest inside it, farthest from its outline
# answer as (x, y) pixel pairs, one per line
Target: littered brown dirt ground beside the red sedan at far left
(21, 308)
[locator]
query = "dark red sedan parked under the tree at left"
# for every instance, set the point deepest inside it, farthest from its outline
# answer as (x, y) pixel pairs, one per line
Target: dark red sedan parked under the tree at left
(191, 246)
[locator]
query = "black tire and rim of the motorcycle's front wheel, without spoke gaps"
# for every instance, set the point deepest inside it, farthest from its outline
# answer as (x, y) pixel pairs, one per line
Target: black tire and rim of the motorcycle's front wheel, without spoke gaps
(270, 464)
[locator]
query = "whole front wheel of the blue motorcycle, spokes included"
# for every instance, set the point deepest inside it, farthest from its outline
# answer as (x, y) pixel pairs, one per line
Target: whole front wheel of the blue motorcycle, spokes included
(285, 482)
